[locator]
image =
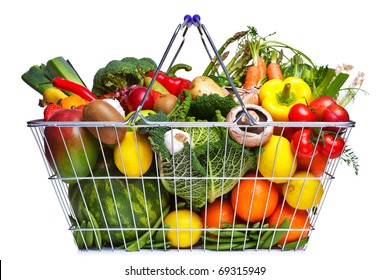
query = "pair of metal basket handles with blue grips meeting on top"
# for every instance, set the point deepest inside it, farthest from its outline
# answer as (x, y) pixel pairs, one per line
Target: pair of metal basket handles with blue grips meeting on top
(187, 23)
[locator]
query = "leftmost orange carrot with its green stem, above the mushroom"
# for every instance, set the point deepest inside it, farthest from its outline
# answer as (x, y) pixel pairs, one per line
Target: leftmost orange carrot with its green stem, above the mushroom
(258, 68)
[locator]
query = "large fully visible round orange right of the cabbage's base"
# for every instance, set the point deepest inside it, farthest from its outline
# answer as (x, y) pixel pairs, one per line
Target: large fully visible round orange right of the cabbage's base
(254, 199)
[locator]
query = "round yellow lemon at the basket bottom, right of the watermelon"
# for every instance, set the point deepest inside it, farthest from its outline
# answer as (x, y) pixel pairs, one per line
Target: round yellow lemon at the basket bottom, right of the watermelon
(185, 227)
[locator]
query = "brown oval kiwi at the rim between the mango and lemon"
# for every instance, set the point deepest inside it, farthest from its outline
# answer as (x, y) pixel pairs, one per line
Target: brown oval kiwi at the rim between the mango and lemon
(101, 111)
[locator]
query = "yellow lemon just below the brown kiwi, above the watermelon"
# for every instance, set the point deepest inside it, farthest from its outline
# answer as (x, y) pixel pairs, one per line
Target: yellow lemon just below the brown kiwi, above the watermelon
(133, 155)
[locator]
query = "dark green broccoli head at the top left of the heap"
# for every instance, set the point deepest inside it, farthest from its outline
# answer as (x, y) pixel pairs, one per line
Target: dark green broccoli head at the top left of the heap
(119, 74)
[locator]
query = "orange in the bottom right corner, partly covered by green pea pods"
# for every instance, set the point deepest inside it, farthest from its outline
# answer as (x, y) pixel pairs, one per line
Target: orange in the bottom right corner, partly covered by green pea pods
(299, 222)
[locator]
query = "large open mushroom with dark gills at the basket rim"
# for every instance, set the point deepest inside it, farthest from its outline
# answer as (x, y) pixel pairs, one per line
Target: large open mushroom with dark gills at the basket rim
(243, 132)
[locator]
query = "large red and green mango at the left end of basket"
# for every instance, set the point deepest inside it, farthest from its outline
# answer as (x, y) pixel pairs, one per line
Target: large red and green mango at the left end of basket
(71, 151)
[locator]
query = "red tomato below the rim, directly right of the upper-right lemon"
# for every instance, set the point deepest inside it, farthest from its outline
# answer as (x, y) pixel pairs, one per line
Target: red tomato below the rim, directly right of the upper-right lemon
(302, 143)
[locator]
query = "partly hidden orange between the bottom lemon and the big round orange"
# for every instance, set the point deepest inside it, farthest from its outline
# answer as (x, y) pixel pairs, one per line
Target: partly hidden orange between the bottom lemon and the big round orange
(213, 214)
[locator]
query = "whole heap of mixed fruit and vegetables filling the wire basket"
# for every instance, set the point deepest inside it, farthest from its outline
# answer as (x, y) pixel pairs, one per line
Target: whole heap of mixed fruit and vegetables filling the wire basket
(136, 181)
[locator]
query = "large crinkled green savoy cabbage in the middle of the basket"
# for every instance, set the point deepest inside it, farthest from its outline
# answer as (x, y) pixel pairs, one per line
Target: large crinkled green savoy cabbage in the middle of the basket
(208, 167)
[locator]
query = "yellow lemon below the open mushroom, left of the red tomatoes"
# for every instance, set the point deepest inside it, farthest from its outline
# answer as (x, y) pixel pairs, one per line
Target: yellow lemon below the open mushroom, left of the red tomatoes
(277, 160)
